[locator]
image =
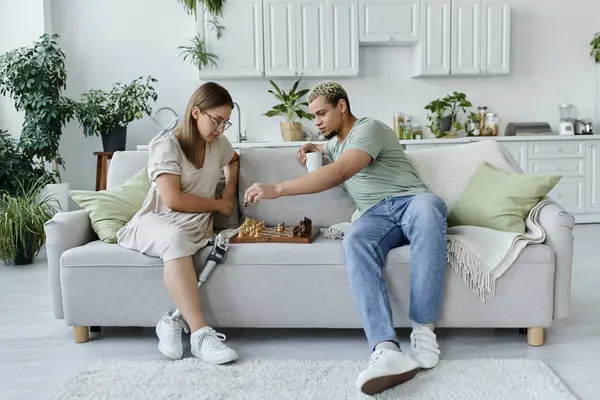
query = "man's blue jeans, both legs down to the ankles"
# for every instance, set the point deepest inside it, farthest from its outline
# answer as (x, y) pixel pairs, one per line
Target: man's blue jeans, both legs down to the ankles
(418, 220)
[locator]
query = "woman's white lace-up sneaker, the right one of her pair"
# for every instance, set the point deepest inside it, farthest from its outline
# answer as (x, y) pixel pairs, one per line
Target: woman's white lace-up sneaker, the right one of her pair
(207, 344)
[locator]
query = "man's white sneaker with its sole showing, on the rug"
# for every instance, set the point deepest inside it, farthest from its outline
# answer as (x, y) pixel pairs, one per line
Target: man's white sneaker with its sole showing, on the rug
(387, 368)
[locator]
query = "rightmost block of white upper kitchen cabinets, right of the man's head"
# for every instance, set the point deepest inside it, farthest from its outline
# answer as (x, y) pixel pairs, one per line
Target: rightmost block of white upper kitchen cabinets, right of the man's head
(463, 37)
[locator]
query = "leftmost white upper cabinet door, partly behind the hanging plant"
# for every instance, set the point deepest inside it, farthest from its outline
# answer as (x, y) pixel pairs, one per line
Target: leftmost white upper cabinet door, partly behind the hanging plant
(240, 47)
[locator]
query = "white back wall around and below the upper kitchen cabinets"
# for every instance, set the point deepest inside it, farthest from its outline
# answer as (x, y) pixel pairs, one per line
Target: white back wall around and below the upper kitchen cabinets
(111, 40)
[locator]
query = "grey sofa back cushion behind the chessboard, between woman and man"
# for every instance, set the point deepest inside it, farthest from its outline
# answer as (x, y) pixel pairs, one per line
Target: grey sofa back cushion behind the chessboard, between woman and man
(276, 164)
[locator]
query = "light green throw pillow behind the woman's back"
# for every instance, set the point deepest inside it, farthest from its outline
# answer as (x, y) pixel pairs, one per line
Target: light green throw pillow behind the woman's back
(109, 210)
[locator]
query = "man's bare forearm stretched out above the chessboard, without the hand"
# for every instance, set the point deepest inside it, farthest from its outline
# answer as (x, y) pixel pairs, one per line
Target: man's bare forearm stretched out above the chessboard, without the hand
(320, 180)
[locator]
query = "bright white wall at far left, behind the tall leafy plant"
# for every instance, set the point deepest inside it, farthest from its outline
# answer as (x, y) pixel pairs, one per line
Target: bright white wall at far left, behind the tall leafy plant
(21, 23)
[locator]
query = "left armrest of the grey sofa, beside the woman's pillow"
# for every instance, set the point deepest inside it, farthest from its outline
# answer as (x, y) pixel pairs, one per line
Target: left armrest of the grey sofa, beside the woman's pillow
(63, 232)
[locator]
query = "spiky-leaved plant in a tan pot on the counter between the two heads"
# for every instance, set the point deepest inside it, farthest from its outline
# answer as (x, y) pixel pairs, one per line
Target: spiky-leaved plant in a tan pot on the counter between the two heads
(290, 107)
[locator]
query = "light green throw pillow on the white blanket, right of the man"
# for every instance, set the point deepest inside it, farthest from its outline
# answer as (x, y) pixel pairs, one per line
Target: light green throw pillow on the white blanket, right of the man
(500, 200)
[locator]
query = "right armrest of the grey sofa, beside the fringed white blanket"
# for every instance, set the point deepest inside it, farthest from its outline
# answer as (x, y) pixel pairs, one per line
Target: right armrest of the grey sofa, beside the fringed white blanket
(558, 225)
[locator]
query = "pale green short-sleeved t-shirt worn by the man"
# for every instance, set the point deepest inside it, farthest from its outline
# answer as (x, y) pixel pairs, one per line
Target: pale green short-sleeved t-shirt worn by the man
(389, 174)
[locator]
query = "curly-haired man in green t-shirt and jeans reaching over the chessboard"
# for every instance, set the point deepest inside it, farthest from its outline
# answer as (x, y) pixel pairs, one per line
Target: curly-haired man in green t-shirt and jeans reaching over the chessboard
(394, 208)
